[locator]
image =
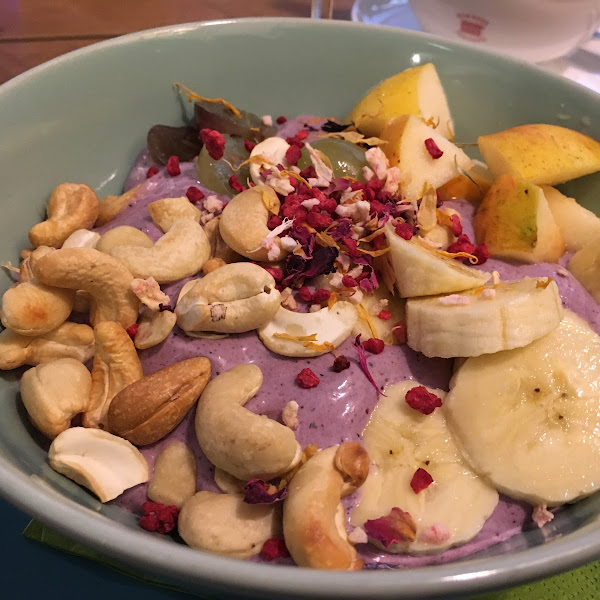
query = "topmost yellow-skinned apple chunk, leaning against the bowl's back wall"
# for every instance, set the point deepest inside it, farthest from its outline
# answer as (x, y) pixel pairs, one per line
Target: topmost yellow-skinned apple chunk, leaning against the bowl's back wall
(417, 91)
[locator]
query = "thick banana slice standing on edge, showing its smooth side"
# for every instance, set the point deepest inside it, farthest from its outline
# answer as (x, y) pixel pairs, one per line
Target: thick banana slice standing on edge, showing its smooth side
(509, 315)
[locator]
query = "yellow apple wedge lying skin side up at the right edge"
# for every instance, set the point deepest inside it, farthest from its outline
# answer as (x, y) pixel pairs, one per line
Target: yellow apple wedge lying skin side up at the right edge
(540, 153)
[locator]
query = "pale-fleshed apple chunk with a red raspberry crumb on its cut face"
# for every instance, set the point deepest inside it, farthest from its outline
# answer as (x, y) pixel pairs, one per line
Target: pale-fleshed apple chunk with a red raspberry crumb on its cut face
(405, 136)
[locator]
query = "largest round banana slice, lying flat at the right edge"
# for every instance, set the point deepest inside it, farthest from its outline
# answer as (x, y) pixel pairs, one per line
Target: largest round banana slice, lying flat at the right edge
(528, 419)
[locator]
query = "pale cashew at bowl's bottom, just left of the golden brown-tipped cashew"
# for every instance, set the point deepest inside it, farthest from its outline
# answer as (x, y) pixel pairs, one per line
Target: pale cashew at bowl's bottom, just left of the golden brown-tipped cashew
(225, 524)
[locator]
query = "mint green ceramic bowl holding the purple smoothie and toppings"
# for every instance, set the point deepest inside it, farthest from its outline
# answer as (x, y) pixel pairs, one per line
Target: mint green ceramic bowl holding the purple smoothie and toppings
(83, 117)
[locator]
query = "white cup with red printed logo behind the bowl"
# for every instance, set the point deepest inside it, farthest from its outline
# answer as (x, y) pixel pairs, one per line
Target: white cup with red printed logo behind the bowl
(536, 30)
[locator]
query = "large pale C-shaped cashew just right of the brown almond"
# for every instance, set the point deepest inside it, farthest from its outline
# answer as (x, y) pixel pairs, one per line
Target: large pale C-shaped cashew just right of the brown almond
(244, 444)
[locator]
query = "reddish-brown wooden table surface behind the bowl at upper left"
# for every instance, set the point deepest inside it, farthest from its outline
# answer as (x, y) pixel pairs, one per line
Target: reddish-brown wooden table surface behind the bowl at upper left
(34, 31)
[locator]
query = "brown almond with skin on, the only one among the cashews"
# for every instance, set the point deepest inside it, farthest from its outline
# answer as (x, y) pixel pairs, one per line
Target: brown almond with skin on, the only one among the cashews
(148, 409)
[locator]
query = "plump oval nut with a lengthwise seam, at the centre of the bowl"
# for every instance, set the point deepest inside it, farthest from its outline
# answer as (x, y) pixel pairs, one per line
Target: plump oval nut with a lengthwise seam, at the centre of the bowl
(232, 299)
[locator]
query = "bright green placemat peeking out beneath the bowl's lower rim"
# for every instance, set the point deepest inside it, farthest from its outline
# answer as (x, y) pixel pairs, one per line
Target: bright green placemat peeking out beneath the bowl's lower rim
(579, 584)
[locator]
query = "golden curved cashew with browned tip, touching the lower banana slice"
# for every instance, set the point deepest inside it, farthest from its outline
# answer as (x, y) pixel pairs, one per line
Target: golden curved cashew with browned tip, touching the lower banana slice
(314, 523)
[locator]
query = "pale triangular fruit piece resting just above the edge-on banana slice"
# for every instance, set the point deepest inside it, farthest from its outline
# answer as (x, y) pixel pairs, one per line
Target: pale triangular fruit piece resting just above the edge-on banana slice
(421, 271)
